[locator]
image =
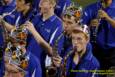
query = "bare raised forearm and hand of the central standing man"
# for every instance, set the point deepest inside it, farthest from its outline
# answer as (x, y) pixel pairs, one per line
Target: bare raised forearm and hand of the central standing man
(38, 38)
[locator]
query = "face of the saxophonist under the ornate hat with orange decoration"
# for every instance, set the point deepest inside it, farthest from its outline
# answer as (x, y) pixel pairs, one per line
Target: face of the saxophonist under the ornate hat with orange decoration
(68, 24)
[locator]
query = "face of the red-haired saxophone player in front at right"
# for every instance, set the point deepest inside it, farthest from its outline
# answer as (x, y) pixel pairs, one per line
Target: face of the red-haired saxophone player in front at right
(79, 41)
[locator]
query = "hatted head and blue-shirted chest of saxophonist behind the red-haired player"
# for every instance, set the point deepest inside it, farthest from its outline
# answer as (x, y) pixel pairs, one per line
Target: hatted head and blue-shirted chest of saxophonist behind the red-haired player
(71, 18)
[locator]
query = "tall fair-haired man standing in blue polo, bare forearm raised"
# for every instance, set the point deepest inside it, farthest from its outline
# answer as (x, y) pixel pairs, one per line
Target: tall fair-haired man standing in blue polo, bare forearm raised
(49, 26)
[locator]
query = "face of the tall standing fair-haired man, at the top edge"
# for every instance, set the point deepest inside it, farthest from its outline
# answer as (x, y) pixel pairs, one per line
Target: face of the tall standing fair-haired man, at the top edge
(45, 6)
